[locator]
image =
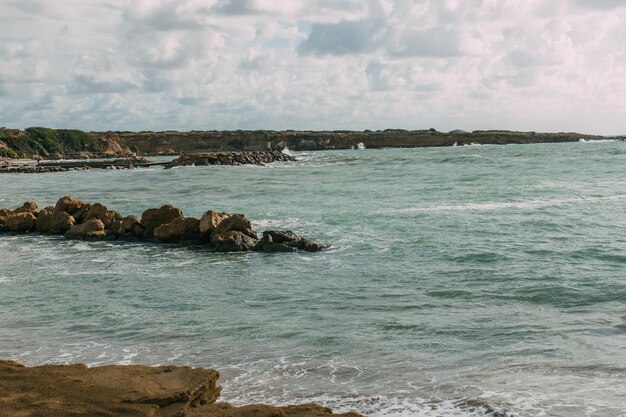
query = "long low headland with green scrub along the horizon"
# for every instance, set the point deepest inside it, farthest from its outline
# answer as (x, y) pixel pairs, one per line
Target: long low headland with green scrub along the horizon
(40, 142)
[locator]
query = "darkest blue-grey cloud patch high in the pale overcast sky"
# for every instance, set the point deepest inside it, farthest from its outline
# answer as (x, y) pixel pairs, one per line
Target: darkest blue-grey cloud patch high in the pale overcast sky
(344, 37)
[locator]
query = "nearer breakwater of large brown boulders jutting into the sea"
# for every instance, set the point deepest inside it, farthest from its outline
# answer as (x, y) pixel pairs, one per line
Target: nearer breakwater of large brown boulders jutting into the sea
(219, 231)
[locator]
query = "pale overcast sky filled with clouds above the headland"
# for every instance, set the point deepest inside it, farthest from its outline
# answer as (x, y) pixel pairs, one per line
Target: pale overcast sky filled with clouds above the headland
(543, 65)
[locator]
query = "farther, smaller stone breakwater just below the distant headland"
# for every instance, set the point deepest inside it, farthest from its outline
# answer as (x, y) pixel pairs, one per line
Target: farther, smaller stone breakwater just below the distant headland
(230, 158)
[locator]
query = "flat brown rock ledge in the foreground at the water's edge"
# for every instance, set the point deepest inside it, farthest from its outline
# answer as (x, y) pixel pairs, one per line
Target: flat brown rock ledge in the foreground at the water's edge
(126, 391)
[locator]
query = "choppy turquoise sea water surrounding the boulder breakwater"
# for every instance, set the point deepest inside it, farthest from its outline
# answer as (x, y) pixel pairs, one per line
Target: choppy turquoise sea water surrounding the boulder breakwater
(462, 281)
